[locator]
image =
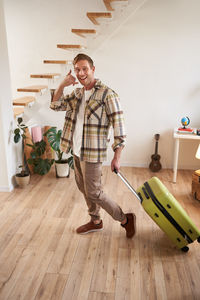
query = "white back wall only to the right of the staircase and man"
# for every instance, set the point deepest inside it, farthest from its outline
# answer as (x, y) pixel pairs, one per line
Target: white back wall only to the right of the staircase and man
(155, 68)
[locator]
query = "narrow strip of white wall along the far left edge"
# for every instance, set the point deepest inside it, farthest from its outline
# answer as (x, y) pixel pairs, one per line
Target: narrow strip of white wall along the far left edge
(6, 116)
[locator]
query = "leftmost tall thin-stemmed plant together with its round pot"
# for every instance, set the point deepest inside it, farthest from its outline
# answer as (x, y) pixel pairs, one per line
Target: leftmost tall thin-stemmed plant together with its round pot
(22, 178)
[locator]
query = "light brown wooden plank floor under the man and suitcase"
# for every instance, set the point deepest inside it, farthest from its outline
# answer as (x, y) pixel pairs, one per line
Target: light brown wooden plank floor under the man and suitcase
(42, 257)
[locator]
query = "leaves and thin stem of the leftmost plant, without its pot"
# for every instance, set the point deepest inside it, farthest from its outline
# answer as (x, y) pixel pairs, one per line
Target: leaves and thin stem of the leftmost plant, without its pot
(19, 134)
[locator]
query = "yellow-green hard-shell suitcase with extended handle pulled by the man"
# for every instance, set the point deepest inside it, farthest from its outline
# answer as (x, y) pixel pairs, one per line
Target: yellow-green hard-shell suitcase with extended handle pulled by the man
(166, 211)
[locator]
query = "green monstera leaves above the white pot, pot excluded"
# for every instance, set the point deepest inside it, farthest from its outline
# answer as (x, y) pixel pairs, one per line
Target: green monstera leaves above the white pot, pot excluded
(54, 136)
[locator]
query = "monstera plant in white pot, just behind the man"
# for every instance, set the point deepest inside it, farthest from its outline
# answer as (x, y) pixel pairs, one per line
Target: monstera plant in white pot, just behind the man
(62, 165)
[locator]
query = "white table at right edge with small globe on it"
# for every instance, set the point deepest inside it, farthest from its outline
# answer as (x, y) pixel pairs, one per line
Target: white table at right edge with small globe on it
(178, 137)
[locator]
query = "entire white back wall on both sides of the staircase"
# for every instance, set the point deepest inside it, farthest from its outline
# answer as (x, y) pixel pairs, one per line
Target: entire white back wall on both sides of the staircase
(152, 60)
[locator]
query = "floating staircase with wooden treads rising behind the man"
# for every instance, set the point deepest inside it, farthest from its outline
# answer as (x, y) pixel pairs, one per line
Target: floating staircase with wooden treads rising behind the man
(96, 18)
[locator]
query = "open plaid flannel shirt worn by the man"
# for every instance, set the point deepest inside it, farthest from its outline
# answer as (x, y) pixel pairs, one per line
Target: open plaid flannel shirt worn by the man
(102, 111)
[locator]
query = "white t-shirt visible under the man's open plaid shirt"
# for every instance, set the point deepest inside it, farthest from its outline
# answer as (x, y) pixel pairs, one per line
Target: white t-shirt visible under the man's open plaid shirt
(78, 131)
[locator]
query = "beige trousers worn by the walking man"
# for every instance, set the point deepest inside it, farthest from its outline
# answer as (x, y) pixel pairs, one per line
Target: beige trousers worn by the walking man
(88, 179)
